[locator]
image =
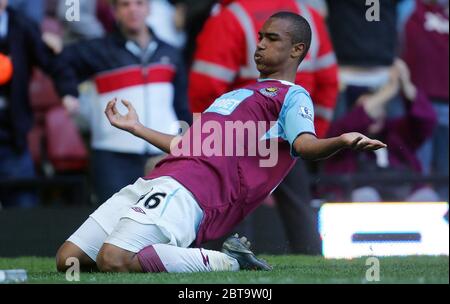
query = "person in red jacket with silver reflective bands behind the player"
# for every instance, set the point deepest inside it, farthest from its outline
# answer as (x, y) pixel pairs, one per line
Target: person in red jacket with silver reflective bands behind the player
(223, 61)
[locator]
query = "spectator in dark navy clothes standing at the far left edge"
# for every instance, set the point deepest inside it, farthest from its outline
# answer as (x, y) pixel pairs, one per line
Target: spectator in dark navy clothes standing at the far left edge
(21, 41)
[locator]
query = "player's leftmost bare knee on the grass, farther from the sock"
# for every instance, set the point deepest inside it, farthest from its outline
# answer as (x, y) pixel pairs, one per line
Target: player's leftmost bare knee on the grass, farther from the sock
(69, 250)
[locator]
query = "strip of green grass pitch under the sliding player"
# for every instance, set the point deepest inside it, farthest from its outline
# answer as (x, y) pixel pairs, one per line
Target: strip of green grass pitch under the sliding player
(287, 270)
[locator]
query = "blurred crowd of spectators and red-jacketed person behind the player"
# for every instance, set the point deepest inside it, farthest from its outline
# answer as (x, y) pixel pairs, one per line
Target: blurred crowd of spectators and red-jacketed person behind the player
(380, 69)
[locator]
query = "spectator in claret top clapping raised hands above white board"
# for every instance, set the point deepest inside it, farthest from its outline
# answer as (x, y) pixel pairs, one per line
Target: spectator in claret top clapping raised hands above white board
(403, 135)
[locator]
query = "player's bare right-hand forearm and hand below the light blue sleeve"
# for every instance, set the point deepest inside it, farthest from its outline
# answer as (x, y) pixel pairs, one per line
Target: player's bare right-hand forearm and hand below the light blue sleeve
(310, 147)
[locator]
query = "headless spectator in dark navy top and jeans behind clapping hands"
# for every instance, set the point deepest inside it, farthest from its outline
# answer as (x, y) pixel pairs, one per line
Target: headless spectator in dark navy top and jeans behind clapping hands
(365, 39)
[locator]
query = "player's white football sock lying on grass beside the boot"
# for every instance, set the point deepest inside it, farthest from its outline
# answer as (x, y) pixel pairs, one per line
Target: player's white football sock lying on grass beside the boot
(177, 259)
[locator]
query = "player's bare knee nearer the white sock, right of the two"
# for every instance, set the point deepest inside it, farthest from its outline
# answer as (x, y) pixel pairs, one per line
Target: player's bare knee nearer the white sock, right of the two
(114, 259)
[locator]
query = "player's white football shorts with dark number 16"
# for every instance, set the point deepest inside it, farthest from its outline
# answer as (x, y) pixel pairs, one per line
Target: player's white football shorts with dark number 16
(157, 211)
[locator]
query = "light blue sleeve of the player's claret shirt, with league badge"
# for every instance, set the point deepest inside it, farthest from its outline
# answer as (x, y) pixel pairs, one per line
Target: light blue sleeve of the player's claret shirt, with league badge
(297, 116)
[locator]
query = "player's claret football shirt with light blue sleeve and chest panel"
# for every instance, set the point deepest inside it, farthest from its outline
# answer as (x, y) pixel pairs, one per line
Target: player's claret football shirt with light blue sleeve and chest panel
(239, 151)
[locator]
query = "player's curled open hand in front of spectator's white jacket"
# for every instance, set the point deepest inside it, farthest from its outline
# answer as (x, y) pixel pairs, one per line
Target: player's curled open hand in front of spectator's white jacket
(128, 122)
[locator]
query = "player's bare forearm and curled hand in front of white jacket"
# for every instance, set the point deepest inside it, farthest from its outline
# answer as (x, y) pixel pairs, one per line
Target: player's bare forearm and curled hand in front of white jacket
(130, 123)
